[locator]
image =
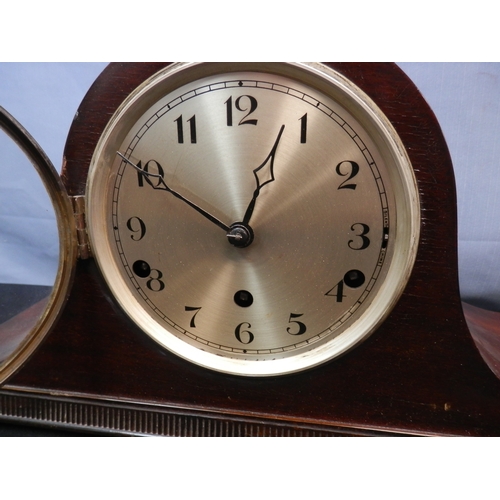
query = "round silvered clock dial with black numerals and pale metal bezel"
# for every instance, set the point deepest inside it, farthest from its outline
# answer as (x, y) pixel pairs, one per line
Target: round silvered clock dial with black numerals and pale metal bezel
(256, 220)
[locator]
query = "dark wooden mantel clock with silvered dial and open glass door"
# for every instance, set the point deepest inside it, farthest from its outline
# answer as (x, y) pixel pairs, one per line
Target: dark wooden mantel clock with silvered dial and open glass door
(251, 249)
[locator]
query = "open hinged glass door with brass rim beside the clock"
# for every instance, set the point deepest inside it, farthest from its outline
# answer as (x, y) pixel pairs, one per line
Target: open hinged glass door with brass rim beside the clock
(37, 244)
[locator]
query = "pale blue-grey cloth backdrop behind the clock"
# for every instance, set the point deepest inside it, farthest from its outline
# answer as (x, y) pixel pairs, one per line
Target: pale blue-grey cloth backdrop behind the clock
(465, 97)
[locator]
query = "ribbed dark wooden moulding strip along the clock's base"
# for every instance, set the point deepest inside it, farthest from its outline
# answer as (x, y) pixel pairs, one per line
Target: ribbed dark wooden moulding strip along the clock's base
(97, 417)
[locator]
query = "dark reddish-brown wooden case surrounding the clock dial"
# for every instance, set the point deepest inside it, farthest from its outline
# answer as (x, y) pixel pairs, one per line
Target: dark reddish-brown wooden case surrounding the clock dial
(420, 373)
